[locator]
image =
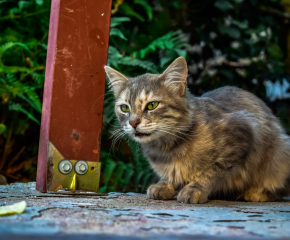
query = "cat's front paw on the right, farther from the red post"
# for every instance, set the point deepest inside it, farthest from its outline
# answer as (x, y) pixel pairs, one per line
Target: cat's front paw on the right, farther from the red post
(192, 194)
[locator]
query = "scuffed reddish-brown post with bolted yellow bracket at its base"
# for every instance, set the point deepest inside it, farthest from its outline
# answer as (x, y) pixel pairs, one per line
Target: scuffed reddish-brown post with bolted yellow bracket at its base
(73, 98)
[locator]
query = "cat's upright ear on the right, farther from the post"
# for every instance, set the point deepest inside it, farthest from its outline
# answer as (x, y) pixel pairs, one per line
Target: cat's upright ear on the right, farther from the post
(175, 75)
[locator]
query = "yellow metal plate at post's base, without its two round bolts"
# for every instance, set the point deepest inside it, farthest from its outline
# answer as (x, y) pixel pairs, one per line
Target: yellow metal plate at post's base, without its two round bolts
(71, 181)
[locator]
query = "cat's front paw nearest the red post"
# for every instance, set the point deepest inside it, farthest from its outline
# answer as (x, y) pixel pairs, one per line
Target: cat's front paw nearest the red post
(161, 191)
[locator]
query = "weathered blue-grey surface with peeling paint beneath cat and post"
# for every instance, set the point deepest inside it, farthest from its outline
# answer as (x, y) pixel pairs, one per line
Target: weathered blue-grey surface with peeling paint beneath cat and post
(133, 216)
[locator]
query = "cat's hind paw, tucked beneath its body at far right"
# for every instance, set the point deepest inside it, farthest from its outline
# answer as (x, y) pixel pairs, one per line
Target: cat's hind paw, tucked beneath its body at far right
(259, 195)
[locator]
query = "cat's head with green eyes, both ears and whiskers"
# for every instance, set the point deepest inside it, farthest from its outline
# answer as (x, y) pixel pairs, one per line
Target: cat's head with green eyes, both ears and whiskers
(151, 106)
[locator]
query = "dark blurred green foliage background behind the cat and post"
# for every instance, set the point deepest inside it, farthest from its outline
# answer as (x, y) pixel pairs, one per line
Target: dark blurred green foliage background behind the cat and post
(244, 43)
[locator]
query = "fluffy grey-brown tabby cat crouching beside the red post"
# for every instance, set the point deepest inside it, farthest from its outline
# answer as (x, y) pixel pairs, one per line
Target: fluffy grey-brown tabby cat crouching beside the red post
(226, 142)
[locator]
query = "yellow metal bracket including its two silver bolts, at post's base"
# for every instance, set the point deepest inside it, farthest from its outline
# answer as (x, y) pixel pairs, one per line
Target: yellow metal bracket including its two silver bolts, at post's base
(71, 176)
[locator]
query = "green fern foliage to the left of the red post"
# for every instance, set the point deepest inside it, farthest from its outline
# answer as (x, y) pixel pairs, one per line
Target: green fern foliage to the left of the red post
(23, 39)
